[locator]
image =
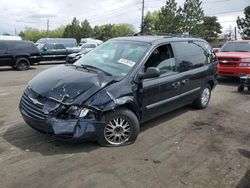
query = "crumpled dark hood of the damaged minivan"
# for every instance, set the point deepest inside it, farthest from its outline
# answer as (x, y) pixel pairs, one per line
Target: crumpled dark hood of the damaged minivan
(64, 83)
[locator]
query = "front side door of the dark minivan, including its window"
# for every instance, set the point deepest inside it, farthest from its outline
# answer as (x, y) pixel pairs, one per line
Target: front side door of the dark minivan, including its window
(160, 95)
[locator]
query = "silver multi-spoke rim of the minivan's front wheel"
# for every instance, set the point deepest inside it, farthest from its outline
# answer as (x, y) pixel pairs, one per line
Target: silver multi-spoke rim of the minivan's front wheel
(117, 131)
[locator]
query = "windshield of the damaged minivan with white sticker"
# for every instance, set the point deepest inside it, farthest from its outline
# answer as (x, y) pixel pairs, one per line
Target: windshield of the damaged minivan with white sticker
(115, 58)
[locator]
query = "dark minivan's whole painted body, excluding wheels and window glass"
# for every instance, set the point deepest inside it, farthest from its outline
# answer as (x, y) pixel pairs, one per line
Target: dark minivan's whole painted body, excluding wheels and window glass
(52, 93)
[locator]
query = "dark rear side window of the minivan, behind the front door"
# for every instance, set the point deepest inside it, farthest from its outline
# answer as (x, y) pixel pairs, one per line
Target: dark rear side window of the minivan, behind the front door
(189, 55)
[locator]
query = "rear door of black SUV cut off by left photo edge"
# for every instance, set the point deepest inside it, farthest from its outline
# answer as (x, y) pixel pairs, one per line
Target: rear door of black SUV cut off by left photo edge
(5, 56)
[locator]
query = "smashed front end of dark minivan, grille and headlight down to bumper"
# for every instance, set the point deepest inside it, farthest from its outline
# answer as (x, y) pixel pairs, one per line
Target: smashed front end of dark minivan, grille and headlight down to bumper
(63, 120)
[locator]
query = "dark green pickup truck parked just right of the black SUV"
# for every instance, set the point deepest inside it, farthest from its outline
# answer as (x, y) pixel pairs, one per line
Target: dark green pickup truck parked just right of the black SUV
(53, 51)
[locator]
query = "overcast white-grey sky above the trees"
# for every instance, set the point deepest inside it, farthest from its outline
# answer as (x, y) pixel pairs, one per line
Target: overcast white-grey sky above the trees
(18, 14)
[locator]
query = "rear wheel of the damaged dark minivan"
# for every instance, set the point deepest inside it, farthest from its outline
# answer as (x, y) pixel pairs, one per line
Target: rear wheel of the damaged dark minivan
(204, 98)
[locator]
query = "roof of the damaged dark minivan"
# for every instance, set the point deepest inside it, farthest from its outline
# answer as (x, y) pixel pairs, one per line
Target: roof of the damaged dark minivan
(156, 39)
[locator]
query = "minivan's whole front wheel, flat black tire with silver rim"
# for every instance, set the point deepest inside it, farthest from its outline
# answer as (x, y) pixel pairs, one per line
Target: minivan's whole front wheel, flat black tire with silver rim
(121, 128)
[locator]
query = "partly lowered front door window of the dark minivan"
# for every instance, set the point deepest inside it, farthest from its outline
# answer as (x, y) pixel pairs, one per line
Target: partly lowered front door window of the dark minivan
(162, 58)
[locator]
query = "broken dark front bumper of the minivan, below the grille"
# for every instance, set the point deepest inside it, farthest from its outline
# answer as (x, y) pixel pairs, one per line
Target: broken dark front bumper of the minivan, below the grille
(72, 129)
